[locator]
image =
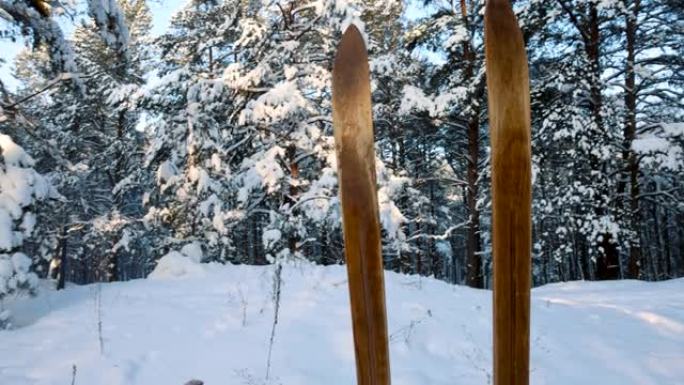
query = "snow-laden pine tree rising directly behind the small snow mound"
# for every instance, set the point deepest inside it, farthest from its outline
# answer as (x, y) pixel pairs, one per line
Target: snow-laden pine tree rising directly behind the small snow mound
(194, 142)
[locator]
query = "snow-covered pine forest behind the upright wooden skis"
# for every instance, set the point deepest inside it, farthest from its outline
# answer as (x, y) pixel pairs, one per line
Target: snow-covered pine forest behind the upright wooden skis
(214, 138)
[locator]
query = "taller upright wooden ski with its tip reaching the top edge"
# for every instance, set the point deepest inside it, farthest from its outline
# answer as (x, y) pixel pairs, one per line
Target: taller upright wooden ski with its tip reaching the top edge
(509, 125)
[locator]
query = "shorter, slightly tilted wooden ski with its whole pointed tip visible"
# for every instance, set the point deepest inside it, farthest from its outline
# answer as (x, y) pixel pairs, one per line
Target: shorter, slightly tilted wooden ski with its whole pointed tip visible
(352, 120)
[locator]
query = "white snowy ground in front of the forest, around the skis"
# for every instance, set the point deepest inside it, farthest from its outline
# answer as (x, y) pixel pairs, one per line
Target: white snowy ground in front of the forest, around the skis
(214, 324)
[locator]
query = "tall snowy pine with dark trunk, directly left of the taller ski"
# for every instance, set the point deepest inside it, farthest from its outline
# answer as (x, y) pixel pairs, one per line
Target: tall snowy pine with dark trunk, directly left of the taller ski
(458, 84)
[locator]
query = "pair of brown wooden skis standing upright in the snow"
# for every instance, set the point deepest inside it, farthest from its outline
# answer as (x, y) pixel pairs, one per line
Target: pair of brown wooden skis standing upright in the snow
(509, 120)
